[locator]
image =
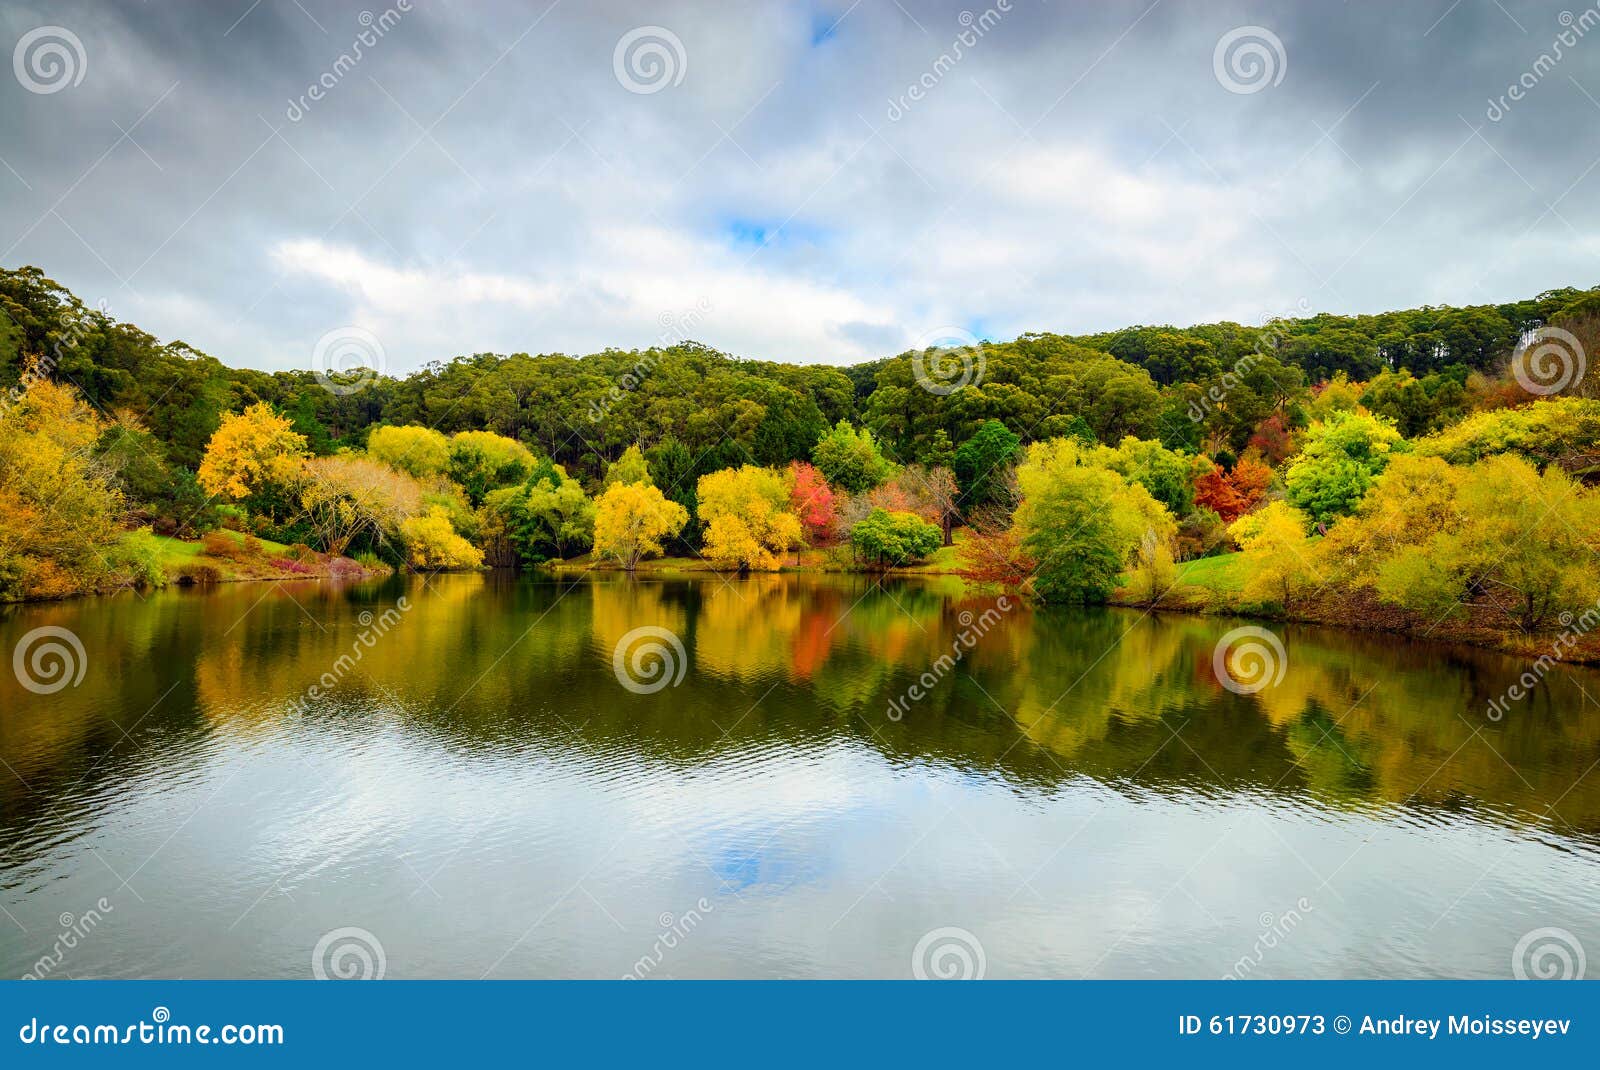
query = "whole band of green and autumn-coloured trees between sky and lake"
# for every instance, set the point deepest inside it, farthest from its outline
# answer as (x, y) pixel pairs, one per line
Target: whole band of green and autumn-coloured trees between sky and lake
(1076, 466)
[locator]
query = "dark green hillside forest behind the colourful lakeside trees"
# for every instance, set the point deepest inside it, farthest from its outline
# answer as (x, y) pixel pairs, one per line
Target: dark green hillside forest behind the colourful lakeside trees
(585, 412)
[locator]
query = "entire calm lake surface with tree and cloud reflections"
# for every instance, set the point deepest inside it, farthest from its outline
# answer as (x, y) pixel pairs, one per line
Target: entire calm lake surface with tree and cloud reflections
(786, 777)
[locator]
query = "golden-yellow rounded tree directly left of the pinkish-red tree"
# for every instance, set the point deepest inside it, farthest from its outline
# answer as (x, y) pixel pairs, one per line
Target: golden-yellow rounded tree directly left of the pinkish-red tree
(748, 519)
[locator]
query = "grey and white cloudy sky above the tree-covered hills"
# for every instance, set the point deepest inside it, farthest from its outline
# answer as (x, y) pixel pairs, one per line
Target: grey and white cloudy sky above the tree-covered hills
(570, 177)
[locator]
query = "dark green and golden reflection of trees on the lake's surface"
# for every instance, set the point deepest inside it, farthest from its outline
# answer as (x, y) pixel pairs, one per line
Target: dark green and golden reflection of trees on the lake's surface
(778, 665)
